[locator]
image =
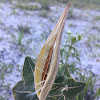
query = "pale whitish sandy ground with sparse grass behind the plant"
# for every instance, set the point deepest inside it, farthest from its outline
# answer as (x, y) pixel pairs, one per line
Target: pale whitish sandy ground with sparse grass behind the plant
(82, 22)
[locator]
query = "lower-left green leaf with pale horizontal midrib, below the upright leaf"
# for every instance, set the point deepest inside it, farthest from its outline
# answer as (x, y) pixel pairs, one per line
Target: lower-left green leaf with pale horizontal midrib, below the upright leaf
(21, 92)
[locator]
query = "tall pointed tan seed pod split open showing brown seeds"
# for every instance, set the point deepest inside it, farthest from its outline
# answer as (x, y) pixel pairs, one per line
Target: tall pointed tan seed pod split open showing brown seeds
(48, 60)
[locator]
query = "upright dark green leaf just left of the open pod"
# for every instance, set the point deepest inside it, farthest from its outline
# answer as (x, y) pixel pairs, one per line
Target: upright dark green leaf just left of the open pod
(28, 71)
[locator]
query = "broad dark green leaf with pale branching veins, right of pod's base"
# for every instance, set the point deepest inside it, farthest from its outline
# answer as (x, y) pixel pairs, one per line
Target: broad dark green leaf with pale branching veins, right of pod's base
(74, 88)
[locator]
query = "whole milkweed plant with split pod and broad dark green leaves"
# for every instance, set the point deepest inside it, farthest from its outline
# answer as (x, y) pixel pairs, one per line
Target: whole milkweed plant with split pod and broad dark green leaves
(45, 79)
